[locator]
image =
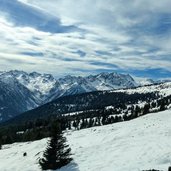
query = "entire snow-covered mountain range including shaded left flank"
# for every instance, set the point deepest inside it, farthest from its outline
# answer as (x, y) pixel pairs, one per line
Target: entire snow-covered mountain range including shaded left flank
(22, 91)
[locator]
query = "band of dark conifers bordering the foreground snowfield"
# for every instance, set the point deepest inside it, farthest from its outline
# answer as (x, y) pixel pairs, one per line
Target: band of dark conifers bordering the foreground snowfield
(40, 128)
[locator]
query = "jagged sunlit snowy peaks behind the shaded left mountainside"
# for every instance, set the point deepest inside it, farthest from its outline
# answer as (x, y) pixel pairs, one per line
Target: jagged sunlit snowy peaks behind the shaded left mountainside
(45, 86)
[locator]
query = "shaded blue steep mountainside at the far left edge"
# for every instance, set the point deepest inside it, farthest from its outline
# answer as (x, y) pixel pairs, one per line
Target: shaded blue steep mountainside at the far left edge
(14, 98)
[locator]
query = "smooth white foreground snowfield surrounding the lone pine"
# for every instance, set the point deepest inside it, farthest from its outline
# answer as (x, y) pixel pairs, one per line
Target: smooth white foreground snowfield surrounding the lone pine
(142, 143)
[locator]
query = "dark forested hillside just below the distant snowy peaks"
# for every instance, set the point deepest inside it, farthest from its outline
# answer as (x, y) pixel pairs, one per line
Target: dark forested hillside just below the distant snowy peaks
(83, 102)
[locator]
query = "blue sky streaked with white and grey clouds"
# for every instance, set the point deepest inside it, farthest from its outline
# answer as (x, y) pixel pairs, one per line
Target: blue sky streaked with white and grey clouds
(83, 37)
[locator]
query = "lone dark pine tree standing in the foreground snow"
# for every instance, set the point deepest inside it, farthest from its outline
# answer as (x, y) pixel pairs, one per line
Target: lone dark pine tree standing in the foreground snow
(58, 152)
